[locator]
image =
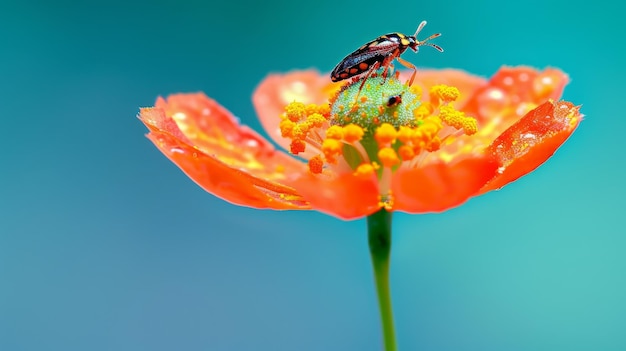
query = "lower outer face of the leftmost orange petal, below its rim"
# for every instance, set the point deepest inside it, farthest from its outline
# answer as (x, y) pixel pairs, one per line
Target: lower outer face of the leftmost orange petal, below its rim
(225, 182)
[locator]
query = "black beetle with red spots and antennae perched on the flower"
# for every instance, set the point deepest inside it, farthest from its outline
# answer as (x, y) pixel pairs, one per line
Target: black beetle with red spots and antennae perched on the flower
(380, 52)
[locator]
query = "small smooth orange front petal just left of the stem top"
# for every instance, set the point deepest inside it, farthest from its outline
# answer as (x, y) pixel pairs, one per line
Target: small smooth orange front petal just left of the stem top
(346, 197)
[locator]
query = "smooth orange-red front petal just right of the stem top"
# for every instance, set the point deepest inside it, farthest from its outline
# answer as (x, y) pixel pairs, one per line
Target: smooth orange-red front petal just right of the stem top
(438, 187)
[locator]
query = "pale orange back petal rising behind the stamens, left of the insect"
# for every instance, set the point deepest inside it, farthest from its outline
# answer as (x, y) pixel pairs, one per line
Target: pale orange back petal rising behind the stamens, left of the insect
(278, 90)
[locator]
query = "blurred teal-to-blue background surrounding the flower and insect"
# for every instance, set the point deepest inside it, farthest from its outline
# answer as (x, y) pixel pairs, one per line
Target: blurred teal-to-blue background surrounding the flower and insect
(106, 245)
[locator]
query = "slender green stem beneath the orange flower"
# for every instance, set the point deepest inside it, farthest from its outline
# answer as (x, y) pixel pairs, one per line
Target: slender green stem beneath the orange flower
(379, 236)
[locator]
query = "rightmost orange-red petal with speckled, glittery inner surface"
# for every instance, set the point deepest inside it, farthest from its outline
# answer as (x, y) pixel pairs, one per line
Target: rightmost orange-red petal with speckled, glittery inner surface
(531, 141)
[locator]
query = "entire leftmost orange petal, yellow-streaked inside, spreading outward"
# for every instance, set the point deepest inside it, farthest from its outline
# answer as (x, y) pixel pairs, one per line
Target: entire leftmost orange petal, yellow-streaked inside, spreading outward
(225, 158)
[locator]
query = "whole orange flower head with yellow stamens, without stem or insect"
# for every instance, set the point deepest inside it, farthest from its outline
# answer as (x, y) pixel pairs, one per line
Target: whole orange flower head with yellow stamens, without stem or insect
(424, 148)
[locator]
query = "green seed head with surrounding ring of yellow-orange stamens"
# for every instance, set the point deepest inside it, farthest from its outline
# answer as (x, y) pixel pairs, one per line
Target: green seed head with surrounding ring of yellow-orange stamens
(375, 127)
